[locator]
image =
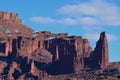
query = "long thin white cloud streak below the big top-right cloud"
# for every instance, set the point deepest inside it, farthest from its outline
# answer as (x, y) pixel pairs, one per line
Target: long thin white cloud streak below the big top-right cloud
(83, 21)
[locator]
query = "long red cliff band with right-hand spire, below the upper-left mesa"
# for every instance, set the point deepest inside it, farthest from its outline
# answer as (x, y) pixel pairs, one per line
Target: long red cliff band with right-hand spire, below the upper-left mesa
(54, 53)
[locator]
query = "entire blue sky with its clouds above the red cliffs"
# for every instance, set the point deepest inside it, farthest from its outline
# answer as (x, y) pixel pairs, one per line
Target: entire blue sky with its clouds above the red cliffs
(86, 18)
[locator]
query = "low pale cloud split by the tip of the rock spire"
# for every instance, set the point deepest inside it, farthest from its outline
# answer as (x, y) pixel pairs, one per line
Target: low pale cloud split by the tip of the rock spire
(95, 37)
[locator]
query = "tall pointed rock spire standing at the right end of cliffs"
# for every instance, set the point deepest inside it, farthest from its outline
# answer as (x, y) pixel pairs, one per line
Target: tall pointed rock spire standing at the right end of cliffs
(100, 54)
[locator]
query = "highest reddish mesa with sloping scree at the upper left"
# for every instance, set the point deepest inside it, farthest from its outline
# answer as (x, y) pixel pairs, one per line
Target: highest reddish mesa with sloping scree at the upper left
(9, 23)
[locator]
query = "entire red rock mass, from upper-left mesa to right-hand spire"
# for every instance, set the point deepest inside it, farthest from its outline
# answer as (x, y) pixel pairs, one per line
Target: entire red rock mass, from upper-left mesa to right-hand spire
(24, 52)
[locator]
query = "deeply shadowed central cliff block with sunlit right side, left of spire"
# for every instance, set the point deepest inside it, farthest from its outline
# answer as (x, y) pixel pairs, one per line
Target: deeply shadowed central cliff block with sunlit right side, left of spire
(69, 51)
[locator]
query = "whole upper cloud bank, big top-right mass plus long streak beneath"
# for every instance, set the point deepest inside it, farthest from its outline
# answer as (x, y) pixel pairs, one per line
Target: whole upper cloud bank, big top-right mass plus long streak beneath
(93, 13)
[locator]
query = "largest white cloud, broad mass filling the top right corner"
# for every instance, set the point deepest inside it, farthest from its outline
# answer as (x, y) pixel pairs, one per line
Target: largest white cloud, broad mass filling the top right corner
(104, 12)
